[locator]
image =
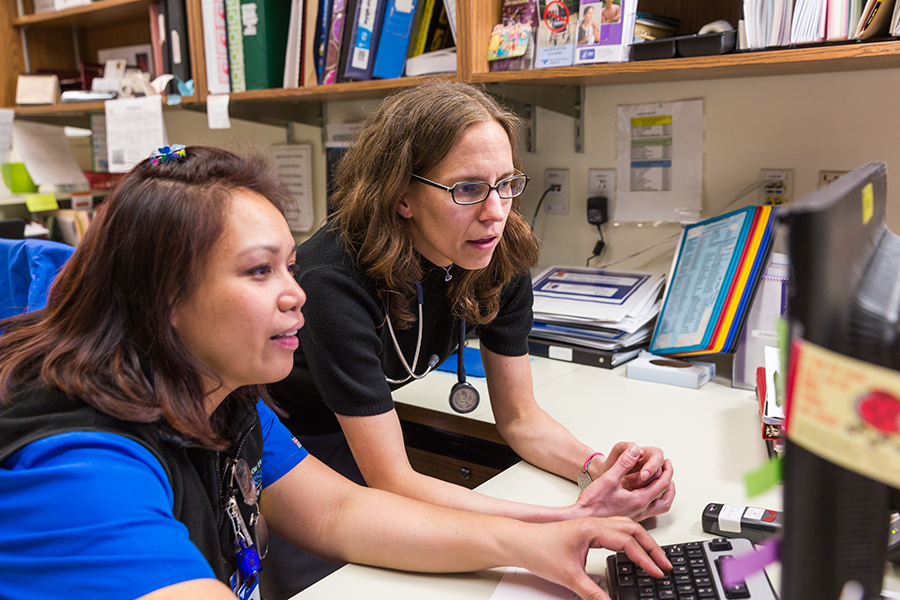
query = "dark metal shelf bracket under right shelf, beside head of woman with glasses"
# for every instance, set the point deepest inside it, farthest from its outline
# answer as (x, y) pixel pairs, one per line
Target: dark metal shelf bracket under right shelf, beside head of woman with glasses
(566, 100)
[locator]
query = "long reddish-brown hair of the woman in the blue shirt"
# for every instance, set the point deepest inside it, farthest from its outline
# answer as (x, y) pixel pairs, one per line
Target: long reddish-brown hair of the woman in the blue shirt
(105, 335)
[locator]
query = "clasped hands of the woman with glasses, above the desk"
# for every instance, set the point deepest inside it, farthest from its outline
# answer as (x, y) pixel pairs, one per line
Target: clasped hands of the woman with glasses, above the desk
(625, 489)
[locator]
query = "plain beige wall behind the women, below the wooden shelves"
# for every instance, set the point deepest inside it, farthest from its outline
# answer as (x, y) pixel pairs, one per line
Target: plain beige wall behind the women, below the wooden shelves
(808, 123)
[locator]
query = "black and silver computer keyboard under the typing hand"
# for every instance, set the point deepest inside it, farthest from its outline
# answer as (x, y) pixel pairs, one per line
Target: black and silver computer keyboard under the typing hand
(696, 574)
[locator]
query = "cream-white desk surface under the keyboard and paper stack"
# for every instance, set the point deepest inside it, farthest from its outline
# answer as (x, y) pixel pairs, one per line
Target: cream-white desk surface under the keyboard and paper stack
(711, 435)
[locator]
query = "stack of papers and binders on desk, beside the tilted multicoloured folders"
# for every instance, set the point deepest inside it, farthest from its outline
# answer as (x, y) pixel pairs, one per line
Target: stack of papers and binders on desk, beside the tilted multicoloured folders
(593, 316)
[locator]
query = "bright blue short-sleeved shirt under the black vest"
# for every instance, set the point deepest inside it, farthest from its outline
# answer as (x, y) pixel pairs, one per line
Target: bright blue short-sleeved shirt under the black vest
(89, 515)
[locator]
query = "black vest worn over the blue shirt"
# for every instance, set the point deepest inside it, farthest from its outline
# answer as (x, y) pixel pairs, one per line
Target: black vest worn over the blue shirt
(195, 472)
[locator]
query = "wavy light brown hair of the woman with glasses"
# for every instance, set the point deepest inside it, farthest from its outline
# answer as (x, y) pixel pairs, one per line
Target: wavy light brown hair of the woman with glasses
(411, 132)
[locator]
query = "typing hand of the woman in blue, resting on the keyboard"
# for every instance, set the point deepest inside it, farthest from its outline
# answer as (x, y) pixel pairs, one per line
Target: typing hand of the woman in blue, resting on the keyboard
(561, 558)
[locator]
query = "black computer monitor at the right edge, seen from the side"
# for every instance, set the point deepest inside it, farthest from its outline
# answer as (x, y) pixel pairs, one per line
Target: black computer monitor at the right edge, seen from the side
(844, 295)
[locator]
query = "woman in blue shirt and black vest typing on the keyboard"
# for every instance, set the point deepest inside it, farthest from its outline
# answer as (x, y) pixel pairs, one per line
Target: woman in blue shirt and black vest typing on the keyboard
(136, 457)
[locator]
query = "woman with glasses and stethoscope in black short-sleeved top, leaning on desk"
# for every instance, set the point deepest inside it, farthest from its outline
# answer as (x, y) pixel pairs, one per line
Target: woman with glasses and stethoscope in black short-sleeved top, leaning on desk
(427, 241)
